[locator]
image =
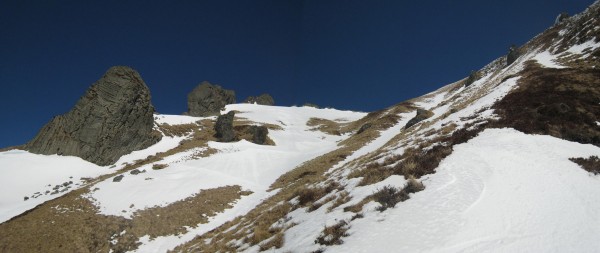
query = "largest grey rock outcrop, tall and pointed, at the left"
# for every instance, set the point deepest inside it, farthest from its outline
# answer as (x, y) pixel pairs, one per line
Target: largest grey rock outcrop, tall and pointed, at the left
(113, 118)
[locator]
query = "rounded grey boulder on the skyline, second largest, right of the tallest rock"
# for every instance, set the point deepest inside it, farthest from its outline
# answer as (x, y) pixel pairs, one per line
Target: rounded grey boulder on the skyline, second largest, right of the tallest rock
(208, 100)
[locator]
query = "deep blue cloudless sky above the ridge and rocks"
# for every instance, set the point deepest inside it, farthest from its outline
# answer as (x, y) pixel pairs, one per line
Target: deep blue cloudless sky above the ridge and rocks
(356, 55)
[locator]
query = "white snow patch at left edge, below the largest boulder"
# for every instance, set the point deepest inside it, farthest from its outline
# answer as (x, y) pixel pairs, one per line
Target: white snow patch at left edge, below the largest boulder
(23, 174)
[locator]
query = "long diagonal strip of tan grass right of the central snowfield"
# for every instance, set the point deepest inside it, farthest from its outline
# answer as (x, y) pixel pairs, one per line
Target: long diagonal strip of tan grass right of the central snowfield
(255, 224)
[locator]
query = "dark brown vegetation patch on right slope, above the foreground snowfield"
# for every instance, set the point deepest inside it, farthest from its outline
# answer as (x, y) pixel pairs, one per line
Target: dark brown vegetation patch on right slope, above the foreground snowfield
(559, 102)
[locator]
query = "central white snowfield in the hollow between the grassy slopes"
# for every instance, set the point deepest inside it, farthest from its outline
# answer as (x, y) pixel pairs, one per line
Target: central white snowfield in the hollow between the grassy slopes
(253, 167)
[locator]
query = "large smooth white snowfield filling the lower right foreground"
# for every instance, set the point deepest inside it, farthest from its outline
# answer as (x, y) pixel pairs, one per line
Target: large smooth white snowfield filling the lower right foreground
(503, 191)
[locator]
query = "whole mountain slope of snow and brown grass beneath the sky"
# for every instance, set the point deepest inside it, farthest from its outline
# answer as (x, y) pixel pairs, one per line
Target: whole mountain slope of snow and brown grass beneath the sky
(482, 164)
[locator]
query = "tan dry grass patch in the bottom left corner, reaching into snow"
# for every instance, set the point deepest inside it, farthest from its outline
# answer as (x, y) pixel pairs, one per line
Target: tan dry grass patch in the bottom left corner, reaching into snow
(72, 224)
